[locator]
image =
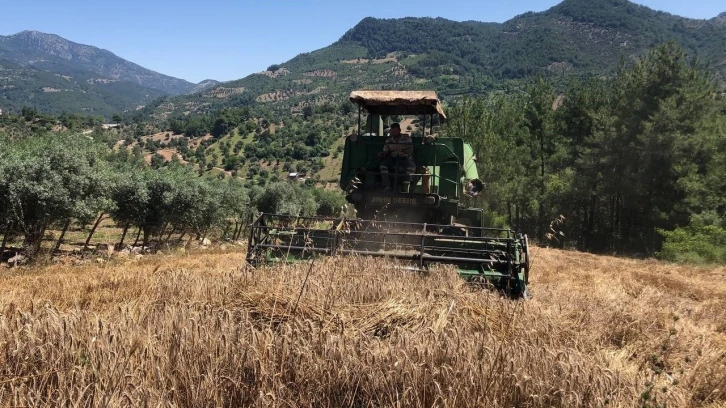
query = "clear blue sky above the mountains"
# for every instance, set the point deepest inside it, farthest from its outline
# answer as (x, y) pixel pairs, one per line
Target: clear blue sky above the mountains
(227, 40)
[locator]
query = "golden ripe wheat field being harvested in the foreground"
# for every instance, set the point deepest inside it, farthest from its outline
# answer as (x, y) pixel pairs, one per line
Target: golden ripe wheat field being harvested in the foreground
(202, 330)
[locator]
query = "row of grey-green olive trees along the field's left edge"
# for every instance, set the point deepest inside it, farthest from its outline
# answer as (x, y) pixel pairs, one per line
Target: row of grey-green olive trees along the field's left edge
(51, 179)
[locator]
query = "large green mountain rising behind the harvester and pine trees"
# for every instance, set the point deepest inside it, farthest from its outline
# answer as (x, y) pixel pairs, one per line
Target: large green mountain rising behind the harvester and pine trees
(573, 38)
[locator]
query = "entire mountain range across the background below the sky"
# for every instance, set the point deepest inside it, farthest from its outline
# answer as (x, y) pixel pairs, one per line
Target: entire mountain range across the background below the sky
(572, 38)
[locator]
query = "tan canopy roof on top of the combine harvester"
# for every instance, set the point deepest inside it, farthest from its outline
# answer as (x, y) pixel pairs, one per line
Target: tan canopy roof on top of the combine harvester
(399, 102)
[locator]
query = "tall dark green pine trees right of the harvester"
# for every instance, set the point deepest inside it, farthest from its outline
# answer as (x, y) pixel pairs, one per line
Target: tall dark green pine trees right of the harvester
(632, 164)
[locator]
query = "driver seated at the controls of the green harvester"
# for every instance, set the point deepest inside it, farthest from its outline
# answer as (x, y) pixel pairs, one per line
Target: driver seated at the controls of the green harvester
(397, 154)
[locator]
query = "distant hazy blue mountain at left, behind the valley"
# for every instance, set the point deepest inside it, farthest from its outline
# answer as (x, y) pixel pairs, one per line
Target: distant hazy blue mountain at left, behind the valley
(55, 75)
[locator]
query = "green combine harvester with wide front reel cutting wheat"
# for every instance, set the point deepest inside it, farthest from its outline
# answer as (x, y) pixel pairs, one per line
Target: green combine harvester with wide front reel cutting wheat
(415, 216)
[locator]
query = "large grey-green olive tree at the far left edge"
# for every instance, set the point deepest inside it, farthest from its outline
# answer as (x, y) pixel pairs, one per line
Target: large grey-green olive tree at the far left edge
(50, 179)
